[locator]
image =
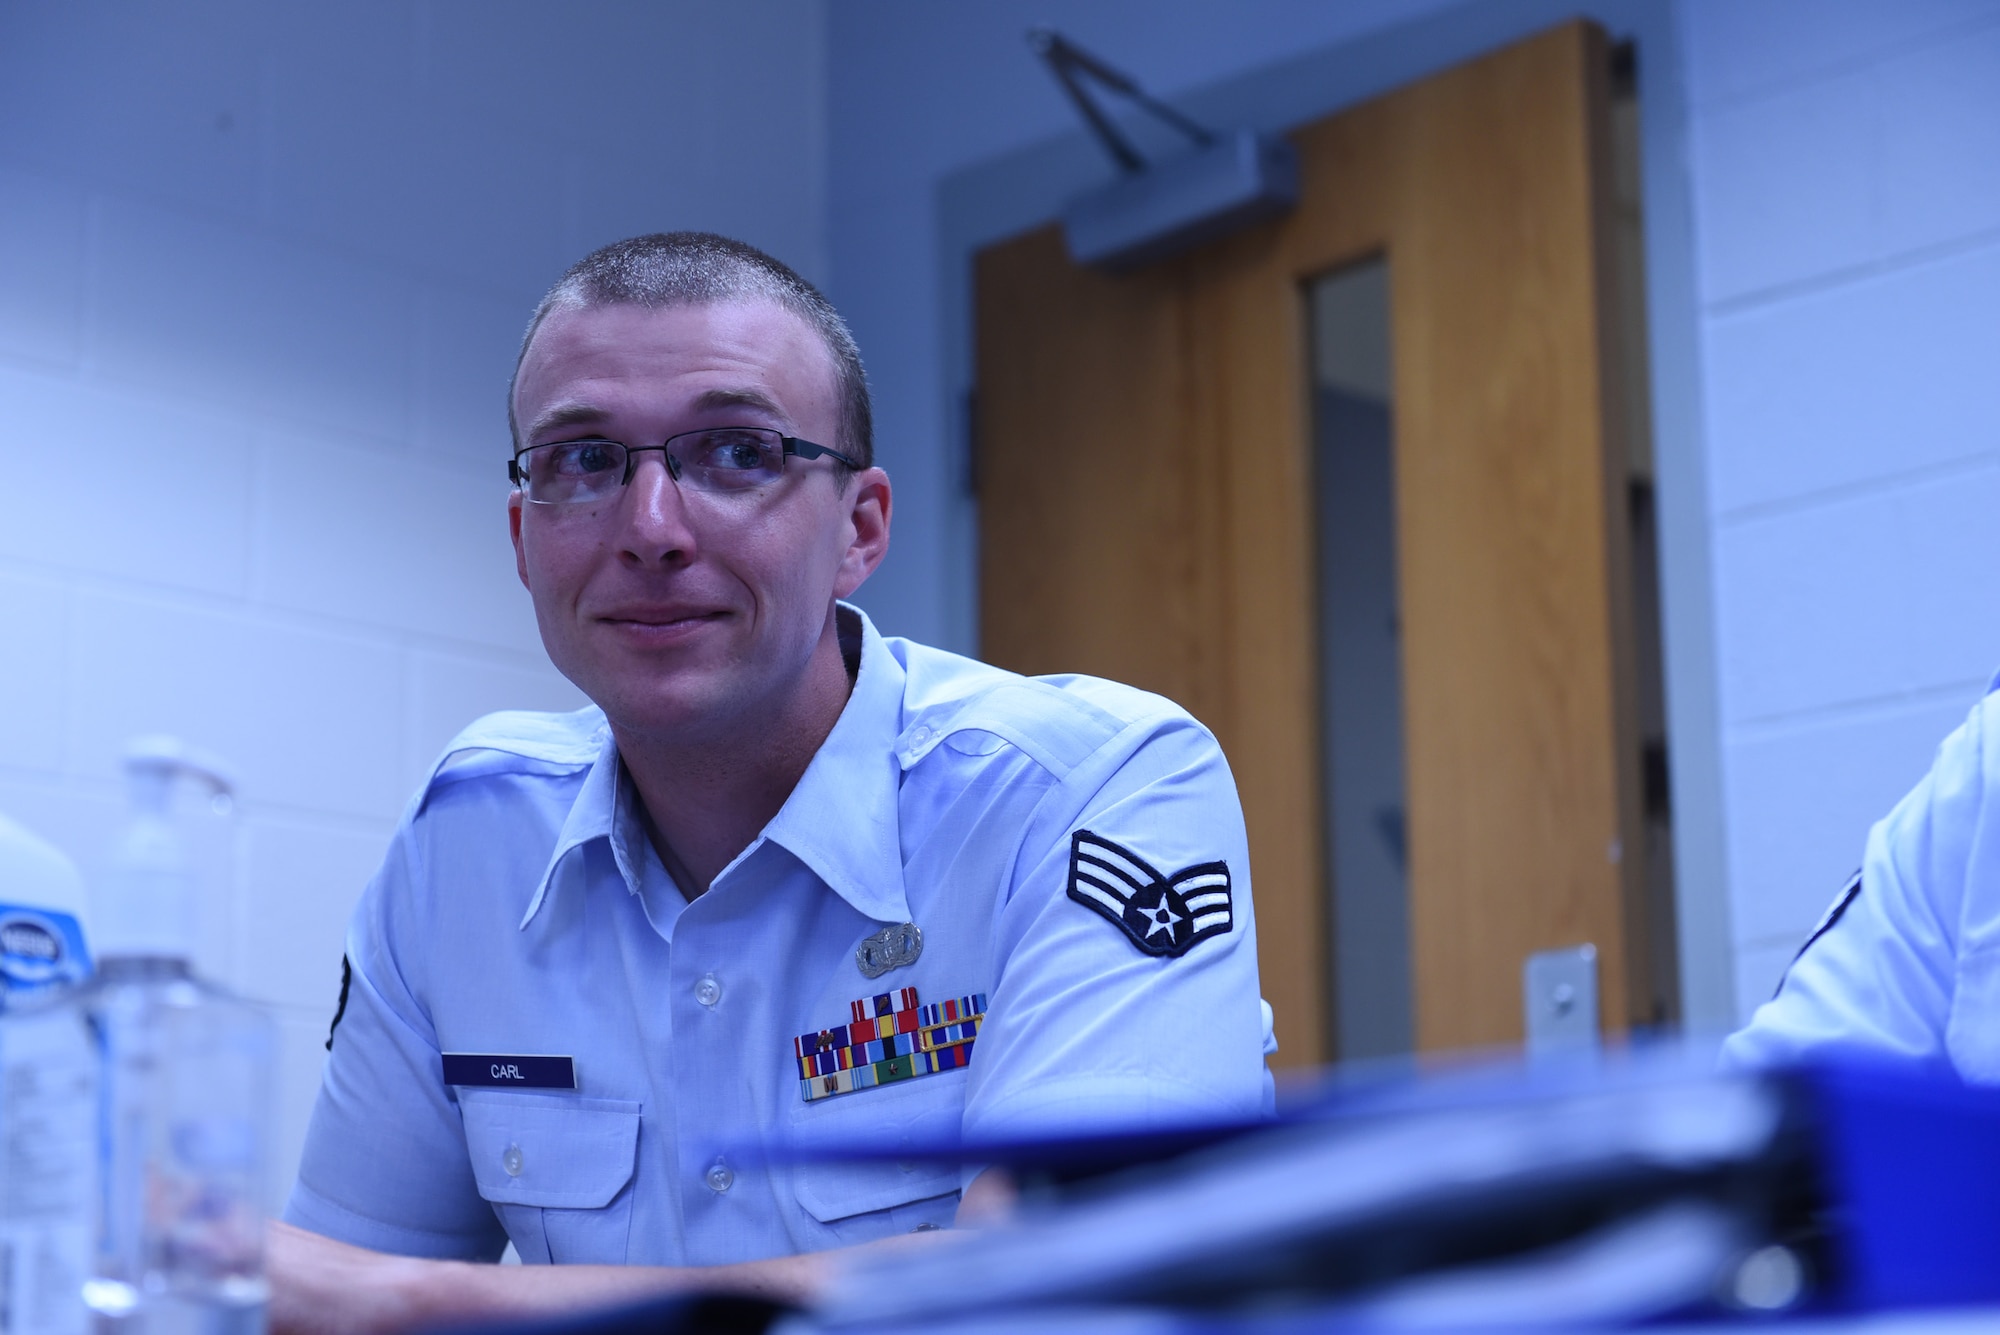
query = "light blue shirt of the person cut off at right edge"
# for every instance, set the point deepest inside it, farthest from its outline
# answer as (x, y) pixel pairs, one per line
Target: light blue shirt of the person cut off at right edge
(1907, 962)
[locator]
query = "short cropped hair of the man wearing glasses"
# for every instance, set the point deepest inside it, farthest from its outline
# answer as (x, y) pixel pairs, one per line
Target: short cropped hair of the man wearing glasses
(701, 269)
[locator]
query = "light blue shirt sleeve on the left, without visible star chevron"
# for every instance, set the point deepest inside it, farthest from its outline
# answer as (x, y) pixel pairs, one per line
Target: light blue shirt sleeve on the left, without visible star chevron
(385, 1162)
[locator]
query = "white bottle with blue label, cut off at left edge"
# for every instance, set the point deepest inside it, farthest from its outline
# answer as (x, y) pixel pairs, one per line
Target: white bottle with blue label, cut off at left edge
(49, 1094)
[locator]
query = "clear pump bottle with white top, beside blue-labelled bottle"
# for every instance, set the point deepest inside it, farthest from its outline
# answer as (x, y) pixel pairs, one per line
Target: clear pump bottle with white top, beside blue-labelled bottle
(187, 1076)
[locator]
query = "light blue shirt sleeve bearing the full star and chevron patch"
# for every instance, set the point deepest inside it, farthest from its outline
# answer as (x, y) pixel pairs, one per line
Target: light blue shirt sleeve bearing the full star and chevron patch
(1117, 1004)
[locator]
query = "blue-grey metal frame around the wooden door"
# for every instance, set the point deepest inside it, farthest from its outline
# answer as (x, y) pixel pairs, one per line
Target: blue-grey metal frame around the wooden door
(1027, 189)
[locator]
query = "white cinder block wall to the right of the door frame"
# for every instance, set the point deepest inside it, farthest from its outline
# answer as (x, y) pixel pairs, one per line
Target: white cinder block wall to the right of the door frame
(1847, 175)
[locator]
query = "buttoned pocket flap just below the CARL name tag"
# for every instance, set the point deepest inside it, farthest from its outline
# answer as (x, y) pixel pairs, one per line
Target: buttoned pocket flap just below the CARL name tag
(551, 1152)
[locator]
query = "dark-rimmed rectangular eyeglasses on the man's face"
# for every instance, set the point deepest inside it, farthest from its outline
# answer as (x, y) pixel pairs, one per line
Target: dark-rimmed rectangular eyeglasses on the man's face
(721, 459)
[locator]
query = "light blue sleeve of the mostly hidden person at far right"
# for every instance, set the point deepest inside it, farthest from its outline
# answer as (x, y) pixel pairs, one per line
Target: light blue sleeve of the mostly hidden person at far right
(1881, 970)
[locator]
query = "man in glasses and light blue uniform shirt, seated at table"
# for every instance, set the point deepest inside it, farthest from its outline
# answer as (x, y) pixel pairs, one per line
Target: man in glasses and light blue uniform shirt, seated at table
(789, 880)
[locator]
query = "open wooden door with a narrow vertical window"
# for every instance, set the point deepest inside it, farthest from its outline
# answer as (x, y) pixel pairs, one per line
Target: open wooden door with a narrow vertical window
(1147, 515)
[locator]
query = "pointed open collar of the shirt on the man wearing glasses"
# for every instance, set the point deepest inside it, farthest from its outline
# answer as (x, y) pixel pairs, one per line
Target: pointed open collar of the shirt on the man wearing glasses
(841, 818)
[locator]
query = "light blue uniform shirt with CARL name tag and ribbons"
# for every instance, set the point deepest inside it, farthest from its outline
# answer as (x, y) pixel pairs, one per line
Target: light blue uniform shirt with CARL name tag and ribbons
(523, 912)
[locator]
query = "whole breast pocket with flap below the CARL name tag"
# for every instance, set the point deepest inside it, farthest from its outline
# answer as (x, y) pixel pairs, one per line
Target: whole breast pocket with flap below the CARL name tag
(557, 1170)
